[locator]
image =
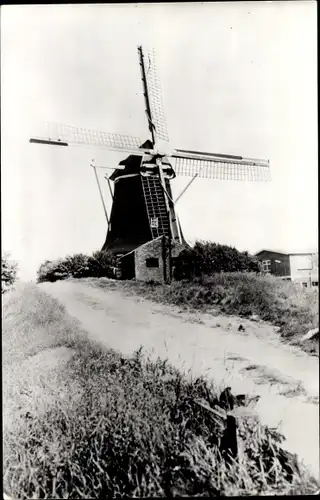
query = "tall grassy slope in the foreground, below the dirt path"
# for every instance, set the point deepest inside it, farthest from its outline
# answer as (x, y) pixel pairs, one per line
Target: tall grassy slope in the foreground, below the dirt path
(118, 426)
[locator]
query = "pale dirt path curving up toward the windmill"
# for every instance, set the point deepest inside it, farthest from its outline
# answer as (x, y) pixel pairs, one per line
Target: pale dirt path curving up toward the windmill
(253, 362)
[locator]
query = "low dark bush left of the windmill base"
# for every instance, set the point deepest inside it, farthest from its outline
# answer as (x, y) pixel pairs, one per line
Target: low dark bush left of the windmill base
(100, 264)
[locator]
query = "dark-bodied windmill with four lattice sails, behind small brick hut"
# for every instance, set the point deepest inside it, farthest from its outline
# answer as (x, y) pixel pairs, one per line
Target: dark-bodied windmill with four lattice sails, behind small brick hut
(143, 208)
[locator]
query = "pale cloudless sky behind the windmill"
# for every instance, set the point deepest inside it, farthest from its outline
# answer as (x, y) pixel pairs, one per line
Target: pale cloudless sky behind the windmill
(237, 78)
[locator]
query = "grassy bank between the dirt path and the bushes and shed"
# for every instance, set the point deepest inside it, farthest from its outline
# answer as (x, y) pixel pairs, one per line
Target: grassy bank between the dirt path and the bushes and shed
(294, 310)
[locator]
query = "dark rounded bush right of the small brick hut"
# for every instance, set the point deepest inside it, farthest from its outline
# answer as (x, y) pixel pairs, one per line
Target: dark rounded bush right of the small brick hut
(209, 258)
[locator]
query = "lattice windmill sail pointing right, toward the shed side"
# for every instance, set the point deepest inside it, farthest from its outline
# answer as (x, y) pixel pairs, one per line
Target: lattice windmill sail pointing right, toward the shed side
(218, 166)
